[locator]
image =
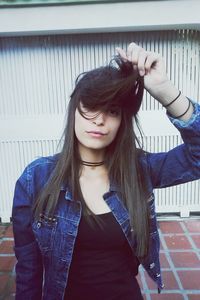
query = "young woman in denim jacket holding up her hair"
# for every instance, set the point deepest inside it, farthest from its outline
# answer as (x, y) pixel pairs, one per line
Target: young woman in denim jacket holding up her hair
(84, 219)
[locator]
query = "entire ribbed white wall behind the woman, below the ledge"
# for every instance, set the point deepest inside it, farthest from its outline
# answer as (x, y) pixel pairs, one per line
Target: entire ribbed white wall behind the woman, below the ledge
(37, 75)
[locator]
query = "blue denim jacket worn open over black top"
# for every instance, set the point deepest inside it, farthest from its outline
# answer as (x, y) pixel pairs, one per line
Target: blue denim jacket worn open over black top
(44, 248)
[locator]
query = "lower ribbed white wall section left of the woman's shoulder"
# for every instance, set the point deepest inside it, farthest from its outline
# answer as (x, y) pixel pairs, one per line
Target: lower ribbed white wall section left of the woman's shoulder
(15, 155)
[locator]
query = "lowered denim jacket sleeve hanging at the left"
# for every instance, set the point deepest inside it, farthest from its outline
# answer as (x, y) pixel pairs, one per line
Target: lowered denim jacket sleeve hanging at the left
(29, 269)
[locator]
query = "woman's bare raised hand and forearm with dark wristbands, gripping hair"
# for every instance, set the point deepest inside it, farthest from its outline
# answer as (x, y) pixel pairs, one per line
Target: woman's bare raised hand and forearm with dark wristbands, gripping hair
(156, 82)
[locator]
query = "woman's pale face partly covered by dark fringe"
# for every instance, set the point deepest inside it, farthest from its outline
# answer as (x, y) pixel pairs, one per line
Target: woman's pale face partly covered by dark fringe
(99, 130)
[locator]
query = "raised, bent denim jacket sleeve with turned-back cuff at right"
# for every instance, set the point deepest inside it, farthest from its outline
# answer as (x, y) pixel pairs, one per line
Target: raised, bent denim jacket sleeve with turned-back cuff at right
(181, 164)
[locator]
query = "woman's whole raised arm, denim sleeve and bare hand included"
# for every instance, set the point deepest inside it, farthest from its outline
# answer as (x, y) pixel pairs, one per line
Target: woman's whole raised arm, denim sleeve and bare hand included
(181, 164)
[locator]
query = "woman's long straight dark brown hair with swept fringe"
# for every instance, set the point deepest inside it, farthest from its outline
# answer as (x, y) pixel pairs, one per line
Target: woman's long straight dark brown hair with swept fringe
(118, 85)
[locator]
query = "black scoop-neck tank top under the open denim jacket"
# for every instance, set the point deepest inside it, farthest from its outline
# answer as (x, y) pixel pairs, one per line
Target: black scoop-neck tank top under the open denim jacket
(103, 266)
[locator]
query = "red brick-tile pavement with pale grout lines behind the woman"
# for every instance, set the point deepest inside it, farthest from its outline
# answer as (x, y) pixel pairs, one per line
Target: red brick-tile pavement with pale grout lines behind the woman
(180, 261)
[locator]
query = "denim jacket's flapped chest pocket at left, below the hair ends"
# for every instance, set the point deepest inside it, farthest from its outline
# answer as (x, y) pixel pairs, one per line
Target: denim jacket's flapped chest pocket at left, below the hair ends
(44, 231)
